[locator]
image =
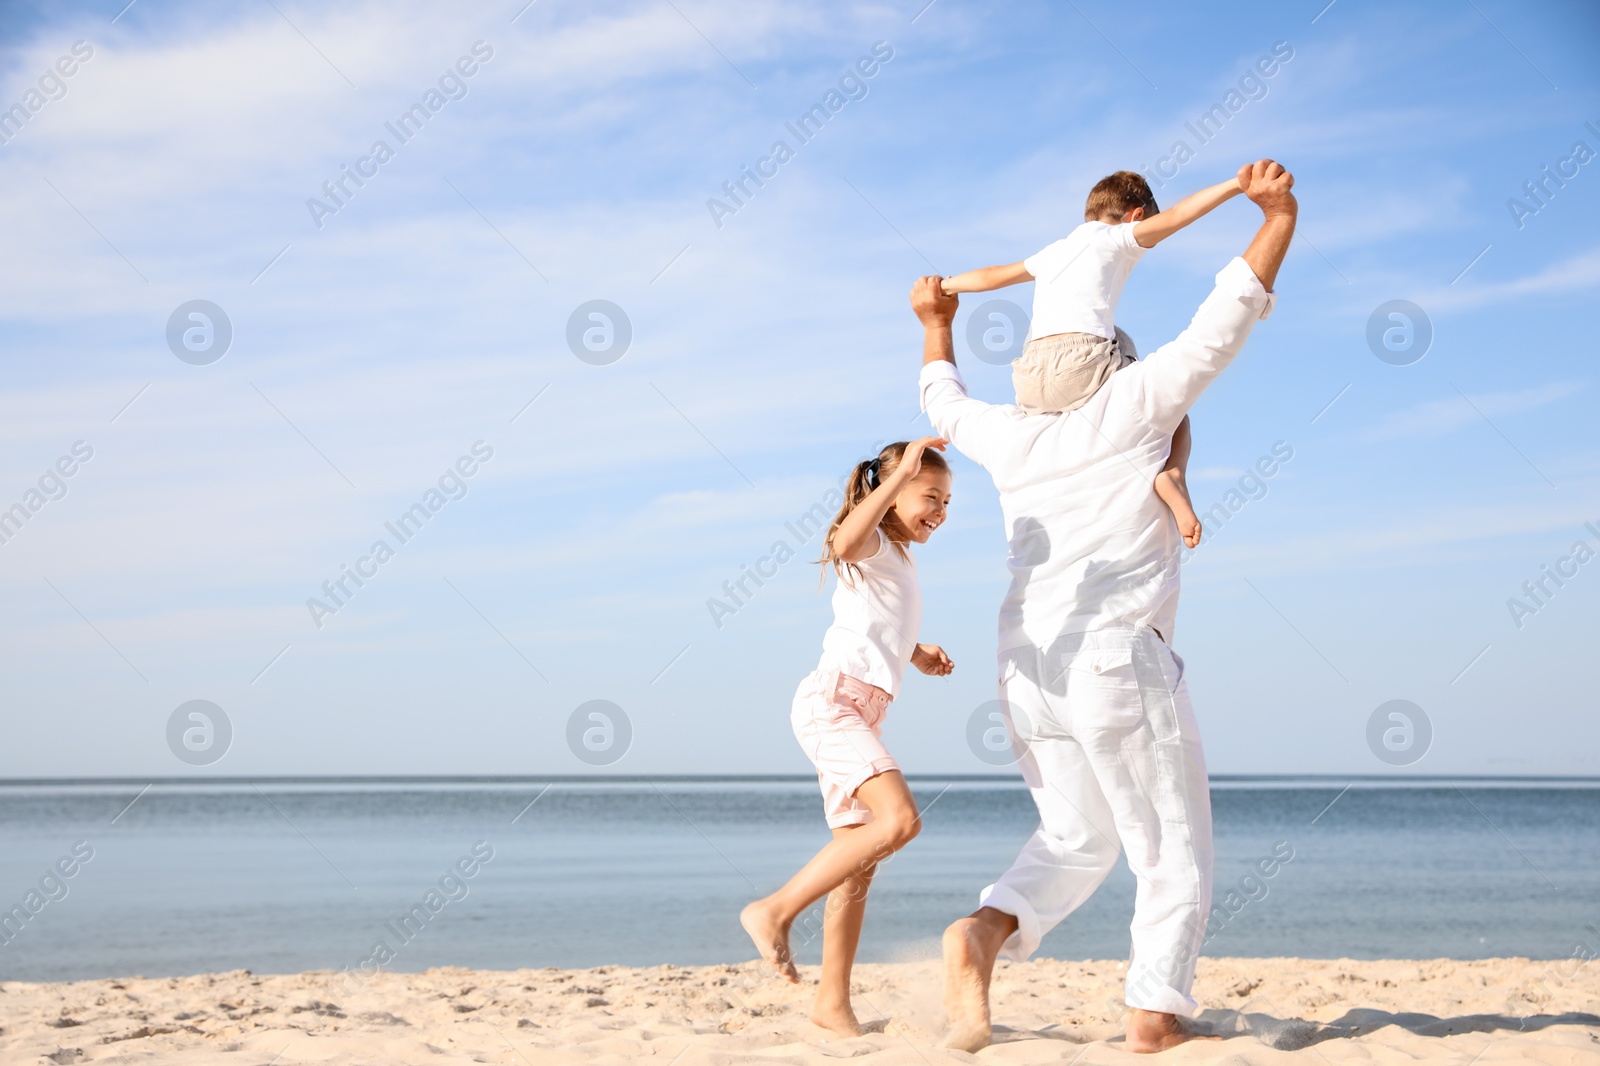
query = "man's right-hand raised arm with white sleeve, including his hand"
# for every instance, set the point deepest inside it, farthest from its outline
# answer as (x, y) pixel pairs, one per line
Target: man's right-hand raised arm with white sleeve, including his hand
(1177, 374)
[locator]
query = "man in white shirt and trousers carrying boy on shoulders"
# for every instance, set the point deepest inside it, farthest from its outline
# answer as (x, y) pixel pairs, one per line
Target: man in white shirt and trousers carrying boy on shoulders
(1100, 711)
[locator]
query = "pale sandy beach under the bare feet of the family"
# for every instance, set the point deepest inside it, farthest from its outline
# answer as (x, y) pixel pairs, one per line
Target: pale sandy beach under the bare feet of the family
(1270, 1011)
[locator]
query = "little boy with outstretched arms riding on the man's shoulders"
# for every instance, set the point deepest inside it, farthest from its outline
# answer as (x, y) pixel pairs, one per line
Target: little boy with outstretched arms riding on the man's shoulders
(1074, 347)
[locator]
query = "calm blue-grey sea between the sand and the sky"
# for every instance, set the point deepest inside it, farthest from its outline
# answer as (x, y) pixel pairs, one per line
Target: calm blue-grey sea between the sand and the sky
(298, 876)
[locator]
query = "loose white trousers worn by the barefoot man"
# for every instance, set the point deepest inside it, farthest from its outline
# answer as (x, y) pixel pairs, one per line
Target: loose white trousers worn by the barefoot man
(1110, 748)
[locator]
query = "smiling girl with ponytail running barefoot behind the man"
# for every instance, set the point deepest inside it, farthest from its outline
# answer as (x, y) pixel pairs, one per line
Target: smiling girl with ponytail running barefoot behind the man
(892, 502)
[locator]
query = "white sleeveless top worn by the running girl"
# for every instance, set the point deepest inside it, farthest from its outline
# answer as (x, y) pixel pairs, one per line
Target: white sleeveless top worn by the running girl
(878, 615)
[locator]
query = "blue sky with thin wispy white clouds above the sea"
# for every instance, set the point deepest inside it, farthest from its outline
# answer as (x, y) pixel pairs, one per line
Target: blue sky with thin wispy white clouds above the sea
(767, 356)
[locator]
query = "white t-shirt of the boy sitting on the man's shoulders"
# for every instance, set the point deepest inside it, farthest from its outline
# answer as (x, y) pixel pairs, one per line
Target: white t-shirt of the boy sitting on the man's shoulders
(1079, 279)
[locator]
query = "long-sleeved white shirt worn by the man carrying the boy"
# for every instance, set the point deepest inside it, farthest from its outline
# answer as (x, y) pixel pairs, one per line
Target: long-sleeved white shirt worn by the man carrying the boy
(1090, 543)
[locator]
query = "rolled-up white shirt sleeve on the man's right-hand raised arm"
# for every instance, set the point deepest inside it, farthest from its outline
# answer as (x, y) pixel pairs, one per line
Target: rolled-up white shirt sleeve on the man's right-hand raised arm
(1177, 374)
